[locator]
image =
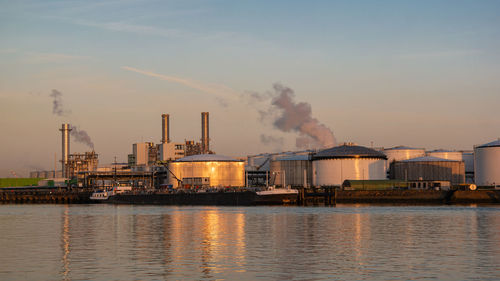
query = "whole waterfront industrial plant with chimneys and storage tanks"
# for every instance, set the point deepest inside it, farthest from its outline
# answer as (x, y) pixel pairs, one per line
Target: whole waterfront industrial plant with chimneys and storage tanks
(191, 166)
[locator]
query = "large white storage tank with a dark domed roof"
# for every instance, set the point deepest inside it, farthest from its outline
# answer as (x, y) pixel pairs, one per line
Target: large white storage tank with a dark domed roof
(347, 162)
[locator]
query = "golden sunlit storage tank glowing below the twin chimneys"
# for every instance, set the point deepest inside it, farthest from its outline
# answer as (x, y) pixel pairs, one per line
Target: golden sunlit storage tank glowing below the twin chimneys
(221, 171)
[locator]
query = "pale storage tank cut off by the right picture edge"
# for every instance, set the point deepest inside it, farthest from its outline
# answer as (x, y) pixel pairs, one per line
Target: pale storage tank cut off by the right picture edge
(487, 164)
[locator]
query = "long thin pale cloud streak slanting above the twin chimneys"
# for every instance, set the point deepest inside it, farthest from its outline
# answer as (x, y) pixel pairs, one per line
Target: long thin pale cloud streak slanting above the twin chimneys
(221, 91)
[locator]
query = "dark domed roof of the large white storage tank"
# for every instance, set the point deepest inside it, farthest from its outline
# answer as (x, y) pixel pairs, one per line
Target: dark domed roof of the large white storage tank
(348, 151)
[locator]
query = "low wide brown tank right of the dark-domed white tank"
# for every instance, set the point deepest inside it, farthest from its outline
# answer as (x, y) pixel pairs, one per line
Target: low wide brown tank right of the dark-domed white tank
(429, 168)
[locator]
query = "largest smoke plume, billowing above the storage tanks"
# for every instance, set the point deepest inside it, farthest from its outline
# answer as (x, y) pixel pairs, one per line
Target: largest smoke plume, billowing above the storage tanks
(290, 116)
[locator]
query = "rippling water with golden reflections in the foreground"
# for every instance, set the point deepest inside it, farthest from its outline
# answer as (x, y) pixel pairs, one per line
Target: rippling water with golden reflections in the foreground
(349, 242)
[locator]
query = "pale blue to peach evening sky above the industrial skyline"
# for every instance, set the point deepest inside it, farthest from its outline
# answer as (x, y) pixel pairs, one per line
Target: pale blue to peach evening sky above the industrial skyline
(383, 73)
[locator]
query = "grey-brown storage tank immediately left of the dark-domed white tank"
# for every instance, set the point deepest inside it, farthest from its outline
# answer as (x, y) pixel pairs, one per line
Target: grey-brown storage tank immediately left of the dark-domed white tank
(295, 171)
